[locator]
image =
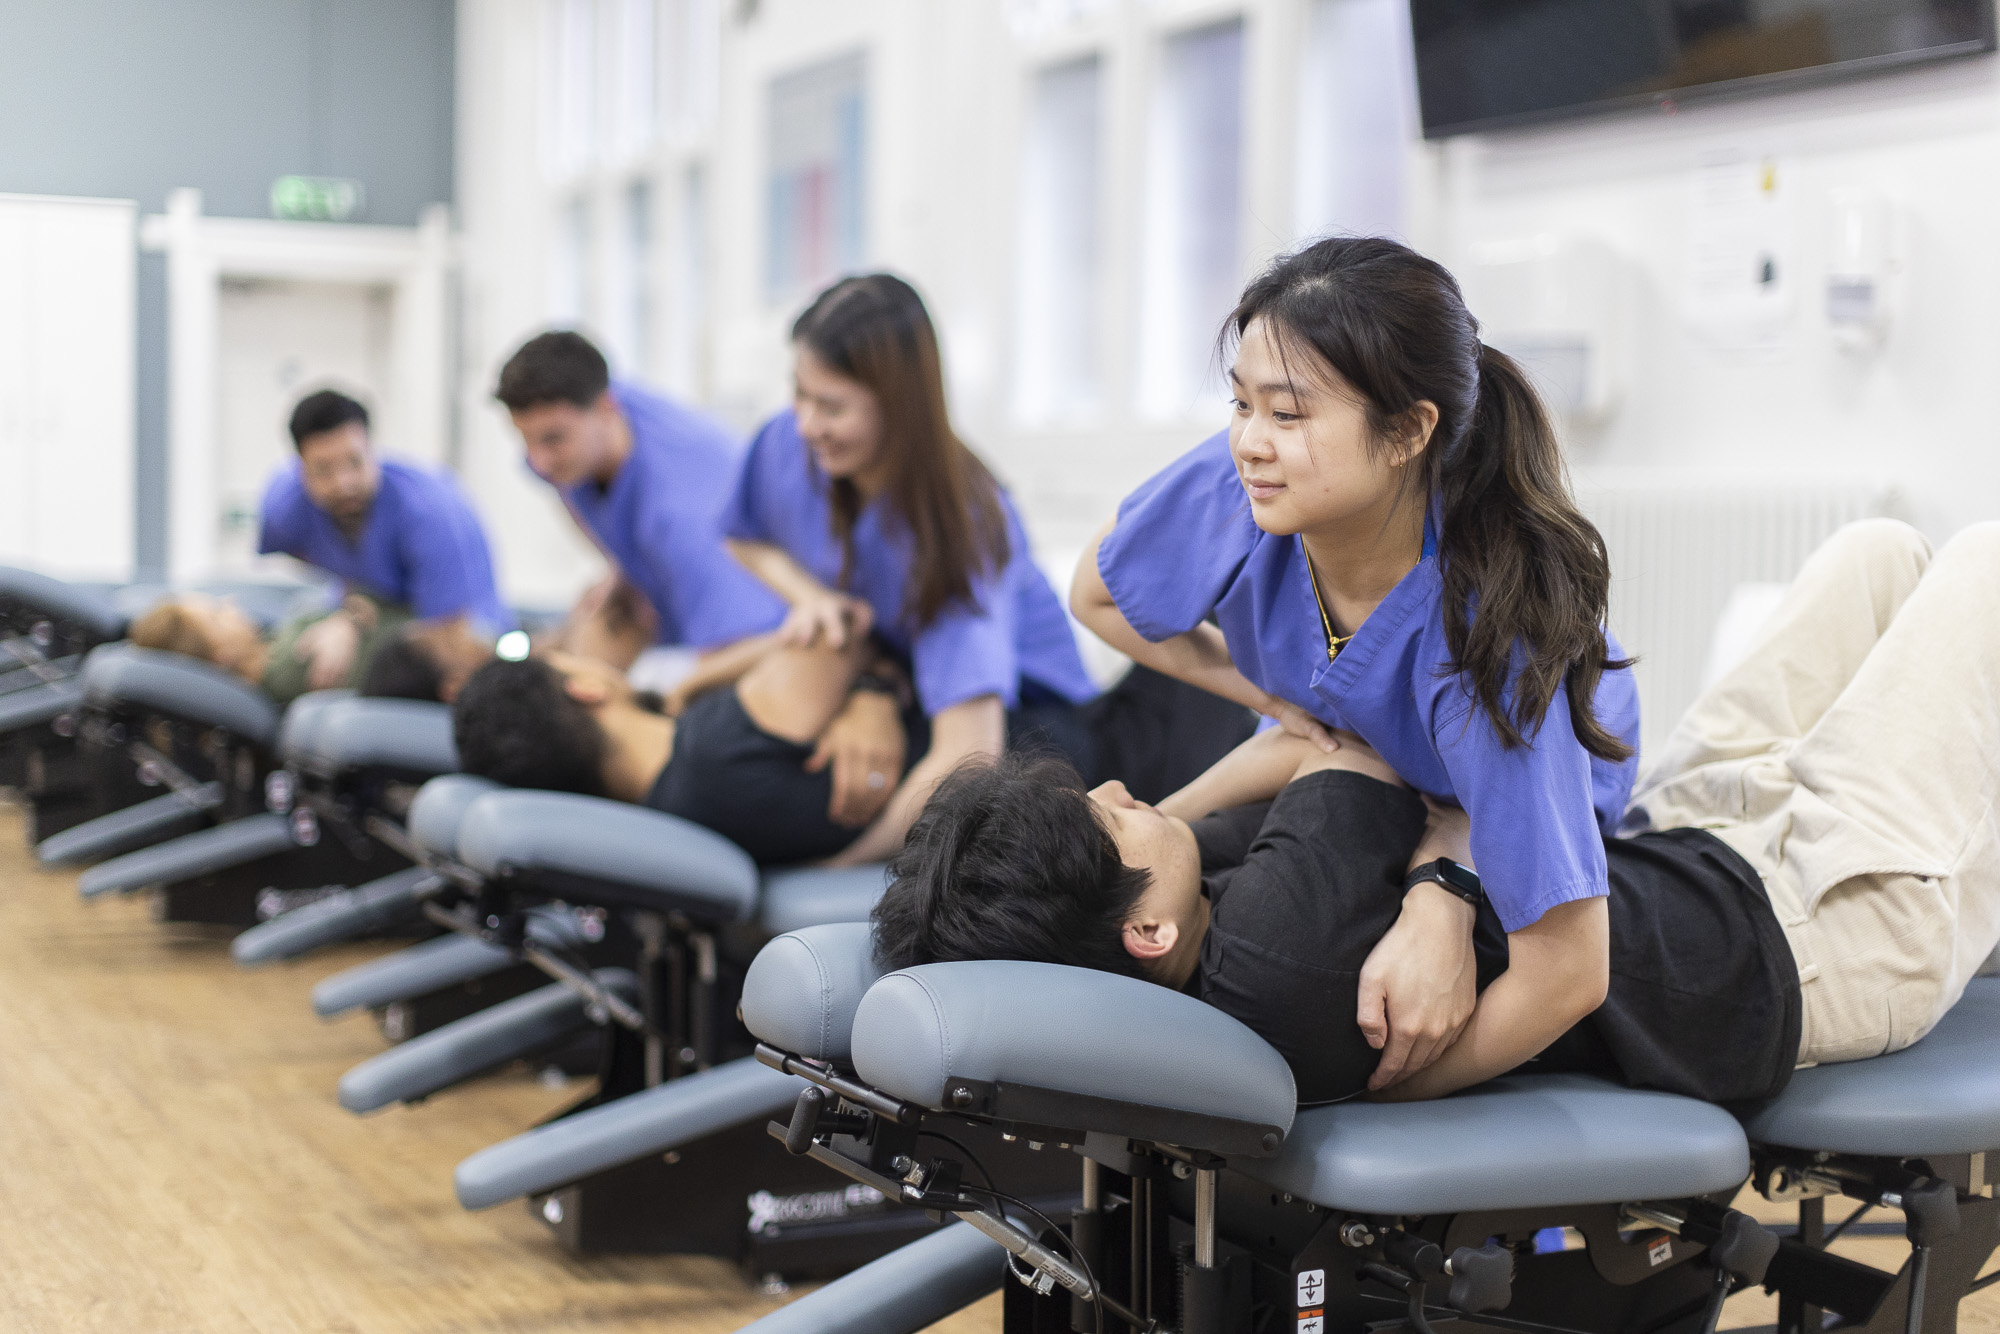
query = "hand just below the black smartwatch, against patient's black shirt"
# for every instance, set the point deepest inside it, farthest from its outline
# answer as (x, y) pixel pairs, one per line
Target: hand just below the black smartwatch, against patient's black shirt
(1419, 985)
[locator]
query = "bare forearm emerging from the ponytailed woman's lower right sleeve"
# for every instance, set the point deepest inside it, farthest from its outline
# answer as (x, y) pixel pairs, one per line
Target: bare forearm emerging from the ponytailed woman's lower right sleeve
(1557, 975)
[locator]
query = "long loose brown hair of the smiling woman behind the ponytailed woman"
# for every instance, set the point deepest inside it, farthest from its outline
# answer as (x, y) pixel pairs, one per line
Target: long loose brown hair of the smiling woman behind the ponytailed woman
(877, 333)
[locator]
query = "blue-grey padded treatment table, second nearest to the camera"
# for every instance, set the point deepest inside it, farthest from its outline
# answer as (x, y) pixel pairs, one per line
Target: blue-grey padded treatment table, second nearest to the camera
(671, 1153)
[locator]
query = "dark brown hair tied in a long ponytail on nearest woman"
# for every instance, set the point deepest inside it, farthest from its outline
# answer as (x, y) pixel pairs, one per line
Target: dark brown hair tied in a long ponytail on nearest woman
(1521, 563)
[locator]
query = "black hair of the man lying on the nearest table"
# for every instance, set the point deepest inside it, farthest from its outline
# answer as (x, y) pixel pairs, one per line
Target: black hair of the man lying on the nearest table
(1009, 861)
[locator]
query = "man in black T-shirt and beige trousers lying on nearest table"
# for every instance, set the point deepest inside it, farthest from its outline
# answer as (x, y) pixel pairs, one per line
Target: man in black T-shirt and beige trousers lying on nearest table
(1811, 871)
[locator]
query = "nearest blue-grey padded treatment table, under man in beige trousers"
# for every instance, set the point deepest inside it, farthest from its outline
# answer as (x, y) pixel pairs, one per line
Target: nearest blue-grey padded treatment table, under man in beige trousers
(1205, 1203)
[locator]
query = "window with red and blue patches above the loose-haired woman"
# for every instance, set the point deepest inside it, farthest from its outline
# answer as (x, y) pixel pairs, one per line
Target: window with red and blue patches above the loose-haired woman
(817, 177)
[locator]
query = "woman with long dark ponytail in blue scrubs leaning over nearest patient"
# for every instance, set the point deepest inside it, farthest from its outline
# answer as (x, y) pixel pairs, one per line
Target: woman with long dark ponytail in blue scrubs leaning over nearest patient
(1385, 543)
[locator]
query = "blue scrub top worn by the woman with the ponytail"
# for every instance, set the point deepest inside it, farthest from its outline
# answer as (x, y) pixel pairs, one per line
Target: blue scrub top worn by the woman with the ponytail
(1187, 549)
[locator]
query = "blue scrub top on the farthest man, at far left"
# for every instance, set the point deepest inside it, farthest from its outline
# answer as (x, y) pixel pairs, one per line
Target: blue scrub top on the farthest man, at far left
(421, 545)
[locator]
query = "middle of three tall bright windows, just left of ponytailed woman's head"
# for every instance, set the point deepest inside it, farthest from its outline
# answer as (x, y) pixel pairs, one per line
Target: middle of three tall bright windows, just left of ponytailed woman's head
(1191, 261)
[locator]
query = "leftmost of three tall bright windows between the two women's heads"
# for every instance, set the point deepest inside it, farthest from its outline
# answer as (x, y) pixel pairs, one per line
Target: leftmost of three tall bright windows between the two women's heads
(1057, 315)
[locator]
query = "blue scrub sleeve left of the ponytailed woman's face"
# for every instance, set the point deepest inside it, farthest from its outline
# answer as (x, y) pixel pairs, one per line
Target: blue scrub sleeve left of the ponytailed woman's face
(1179, 543)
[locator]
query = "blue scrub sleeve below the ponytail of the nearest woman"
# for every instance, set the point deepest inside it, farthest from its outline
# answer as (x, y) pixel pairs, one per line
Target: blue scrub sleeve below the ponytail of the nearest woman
(1535, 831)
